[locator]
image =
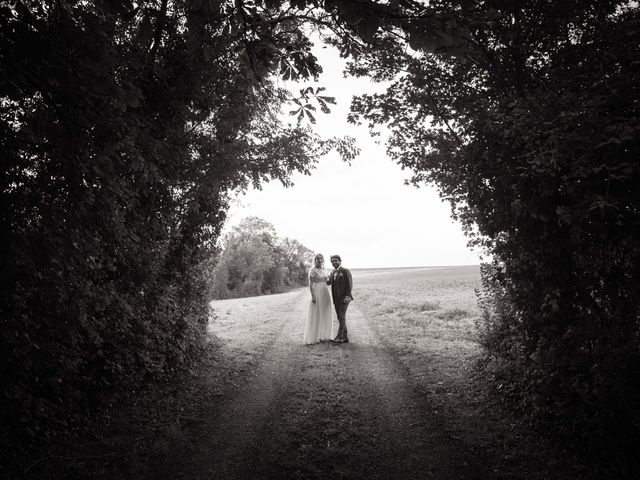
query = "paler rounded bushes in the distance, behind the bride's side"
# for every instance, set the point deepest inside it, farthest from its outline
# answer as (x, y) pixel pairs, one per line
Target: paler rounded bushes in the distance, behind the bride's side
(255, 261)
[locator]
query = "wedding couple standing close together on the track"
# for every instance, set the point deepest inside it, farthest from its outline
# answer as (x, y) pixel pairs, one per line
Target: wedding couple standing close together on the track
(318, 324)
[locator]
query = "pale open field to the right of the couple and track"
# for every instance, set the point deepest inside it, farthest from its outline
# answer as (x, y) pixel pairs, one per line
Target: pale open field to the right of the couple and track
(427, 316)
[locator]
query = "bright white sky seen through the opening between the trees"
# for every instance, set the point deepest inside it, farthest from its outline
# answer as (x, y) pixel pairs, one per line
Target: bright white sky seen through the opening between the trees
(364, 212)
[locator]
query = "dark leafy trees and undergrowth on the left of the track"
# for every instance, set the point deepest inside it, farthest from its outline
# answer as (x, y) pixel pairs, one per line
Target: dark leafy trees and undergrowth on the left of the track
(124, 127)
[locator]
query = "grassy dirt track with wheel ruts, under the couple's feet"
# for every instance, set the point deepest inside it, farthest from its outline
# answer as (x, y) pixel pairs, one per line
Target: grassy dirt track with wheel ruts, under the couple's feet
(321, 411)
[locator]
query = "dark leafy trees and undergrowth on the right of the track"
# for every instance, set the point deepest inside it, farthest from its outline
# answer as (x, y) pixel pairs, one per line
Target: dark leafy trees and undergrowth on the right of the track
(527, 118)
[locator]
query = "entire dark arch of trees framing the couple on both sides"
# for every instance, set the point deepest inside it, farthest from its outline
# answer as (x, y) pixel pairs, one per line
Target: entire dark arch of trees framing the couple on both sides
(125, 127)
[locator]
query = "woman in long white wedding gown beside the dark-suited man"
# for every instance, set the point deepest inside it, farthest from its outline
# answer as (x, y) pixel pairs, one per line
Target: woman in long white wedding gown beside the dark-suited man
(318, 326)
